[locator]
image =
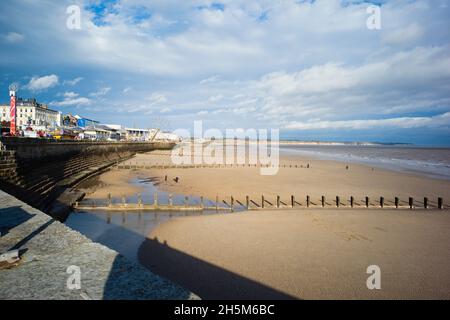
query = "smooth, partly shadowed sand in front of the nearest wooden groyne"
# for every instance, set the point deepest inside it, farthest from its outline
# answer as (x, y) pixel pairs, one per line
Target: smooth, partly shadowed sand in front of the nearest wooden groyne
(320, 254)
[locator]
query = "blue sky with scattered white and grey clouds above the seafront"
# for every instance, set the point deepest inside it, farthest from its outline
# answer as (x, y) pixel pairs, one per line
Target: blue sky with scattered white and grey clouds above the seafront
(312, 69)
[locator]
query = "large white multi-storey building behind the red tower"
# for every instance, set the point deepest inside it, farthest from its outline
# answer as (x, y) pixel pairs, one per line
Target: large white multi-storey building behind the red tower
(28, 111)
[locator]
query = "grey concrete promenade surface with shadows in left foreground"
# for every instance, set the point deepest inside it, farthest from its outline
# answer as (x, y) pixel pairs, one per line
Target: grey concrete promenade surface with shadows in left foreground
(48, 248)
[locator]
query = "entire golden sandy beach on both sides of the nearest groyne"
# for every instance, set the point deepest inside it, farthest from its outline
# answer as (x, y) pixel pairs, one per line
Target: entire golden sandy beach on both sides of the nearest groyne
(297, 254)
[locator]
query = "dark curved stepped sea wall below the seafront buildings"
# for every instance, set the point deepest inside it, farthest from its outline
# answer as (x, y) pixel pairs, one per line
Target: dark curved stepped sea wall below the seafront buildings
(42, 172)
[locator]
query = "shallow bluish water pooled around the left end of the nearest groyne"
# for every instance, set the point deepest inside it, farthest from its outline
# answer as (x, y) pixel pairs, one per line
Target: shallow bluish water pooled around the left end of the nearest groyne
(125, 232)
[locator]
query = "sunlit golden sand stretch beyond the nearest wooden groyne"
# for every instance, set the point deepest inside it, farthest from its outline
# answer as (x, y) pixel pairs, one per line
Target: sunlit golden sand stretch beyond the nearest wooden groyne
(328, 178)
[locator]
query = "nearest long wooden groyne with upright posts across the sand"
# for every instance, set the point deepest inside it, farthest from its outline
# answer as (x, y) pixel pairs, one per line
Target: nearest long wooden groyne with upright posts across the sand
(265, 203)
